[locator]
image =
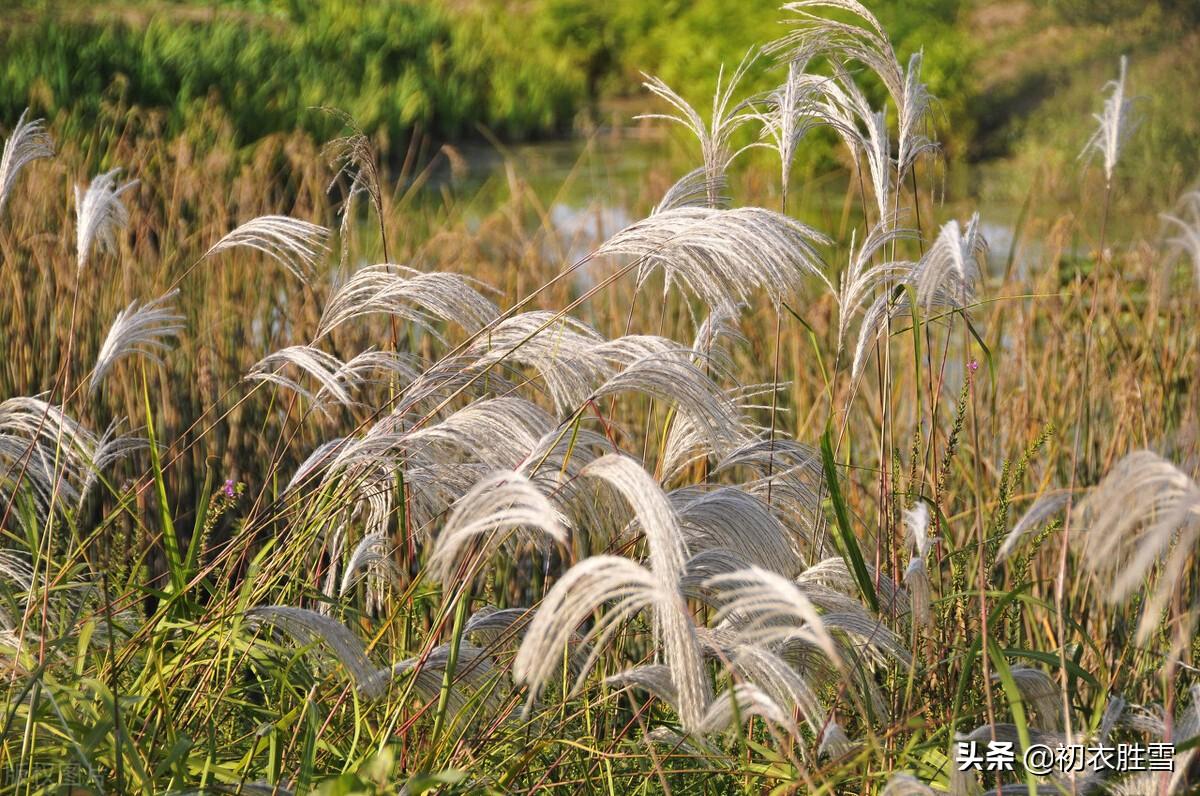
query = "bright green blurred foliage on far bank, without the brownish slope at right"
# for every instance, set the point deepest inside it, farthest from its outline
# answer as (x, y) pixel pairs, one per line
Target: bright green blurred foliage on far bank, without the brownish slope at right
(518, 71)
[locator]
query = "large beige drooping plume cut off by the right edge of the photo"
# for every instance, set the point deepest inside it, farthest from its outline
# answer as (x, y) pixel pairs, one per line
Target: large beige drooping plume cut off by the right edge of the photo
(1144, 513)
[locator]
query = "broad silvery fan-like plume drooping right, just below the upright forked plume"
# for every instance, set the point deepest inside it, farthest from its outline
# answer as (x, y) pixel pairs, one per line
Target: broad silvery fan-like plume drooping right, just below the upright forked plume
(723, 256)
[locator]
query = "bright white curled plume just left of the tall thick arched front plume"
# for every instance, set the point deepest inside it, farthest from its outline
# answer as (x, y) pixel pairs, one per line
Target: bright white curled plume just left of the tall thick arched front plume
(490, 513)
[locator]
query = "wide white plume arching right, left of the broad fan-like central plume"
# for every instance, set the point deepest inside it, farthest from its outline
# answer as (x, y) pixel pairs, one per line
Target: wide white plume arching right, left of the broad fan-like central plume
(410, 295)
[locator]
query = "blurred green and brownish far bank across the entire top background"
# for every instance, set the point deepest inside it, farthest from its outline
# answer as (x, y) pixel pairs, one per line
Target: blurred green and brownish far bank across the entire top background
(1017, 80)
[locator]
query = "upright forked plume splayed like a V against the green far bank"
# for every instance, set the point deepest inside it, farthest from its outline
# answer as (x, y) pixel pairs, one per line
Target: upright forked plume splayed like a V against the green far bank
(713, 136)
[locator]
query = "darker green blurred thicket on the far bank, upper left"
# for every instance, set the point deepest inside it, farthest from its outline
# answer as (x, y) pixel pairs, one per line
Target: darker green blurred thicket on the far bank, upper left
(393, 67)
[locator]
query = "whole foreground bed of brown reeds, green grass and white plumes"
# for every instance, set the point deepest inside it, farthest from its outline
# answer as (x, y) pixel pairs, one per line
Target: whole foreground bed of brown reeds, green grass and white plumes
(310, 488)
